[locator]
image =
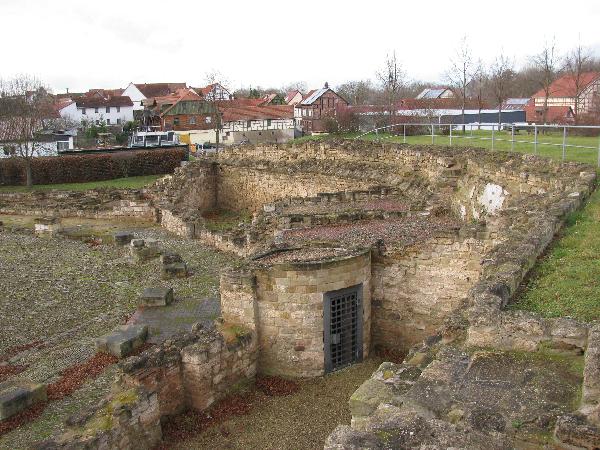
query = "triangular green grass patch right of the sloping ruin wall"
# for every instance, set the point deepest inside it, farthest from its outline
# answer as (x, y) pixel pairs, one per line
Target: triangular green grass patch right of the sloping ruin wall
(566, 282)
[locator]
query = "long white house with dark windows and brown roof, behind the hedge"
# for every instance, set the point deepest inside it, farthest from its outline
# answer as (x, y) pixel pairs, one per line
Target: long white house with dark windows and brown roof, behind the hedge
(115, 110)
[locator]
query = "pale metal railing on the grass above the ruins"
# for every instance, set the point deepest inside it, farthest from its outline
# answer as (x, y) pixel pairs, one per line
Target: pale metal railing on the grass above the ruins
(454, 132)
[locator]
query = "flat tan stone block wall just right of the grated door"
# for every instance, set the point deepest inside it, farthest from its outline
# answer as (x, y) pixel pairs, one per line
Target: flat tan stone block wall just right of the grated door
(415, 289)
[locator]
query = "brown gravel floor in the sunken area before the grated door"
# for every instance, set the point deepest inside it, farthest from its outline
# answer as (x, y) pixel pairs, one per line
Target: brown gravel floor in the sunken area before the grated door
(301, 421)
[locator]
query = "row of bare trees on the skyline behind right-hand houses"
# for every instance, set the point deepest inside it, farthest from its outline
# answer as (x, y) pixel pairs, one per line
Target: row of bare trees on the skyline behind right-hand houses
(473, 81)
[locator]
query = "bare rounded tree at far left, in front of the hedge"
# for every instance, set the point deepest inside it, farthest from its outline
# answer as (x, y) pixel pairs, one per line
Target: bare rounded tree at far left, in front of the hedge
(25, 110)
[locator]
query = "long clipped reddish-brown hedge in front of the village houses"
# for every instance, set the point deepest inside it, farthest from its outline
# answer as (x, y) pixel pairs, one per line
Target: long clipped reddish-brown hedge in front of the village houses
(91, 167)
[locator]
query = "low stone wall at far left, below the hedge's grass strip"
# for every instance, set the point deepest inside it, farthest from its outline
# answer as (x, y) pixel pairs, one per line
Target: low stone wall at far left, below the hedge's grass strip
(92, 204)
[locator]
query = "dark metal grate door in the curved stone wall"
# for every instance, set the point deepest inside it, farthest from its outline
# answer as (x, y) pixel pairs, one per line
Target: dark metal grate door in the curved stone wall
(343, 327)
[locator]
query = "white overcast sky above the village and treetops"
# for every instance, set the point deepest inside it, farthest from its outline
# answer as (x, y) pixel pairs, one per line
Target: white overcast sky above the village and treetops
(82, 44)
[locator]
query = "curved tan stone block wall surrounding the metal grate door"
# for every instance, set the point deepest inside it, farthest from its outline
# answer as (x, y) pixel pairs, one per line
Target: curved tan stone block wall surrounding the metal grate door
(284, 303)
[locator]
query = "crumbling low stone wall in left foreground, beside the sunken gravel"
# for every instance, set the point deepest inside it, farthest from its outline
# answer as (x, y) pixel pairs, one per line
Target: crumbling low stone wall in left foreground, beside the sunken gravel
(193, 370)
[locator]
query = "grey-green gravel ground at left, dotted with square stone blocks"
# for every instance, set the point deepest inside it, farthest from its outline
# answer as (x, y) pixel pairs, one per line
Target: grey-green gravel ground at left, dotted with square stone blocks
(66, 293)
